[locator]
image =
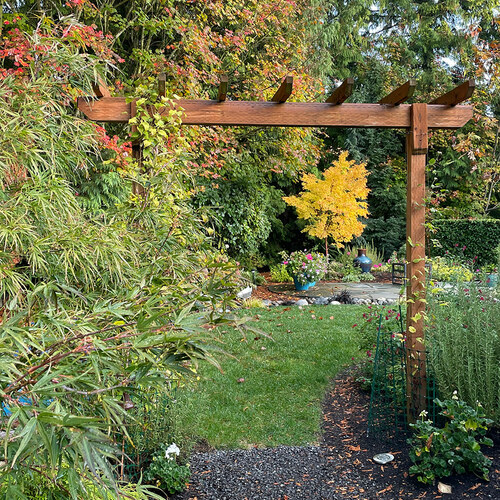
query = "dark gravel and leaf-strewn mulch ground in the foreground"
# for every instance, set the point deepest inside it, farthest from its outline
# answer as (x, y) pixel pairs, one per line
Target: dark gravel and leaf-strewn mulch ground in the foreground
(340, 468)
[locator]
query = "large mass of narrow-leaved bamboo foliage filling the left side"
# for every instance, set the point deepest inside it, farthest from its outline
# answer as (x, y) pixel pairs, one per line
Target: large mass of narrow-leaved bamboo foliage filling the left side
(96, 304)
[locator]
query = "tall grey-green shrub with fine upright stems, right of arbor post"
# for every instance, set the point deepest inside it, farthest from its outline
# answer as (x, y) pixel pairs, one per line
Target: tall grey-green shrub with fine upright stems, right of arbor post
(464, 346)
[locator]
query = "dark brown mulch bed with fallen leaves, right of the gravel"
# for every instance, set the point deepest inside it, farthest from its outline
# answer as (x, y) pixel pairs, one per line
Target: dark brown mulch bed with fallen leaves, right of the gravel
(350, 451)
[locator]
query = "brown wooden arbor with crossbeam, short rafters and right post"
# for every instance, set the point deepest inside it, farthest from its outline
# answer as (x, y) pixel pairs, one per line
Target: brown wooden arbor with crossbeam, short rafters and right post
(389, 112)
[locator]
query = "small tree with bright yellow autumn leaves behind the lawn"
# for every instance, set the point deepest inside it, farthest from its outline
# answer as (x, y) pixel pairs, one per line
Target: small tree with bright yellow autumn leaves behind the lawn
(332, 206)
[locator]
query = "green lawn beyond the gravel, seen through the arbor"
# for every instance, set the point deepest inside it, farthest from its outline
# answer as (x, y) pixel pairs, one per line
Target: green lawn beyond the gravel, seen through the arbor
(285, 379)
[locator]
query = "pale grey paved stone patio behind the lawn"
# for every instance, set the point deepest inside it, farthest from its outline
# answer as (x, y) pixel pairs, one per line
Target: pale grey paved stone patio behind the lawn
(370, 291)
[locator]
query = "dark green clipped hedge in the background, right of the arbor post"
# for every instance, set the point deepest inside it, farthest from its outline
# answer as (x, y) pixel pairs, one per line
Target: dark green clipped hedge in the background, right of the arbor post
(467, 238)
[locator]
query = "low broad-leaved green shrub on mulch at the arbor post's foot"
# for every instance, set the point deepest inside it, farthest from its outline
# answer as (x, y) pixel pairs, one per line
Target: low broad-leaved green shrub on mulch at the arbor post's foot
(456, 448)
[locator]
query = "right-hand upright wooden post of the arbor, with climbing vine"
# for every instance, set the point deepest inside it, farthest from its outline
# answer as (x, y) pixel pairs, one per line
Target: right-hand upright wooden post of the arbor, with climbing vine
(416, 148)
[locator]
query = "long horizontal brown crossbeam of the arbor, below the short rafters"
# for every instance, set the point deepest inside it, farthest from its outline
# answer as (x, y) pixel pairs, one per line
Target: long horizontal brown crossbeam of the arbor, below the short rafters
(288, 114)
